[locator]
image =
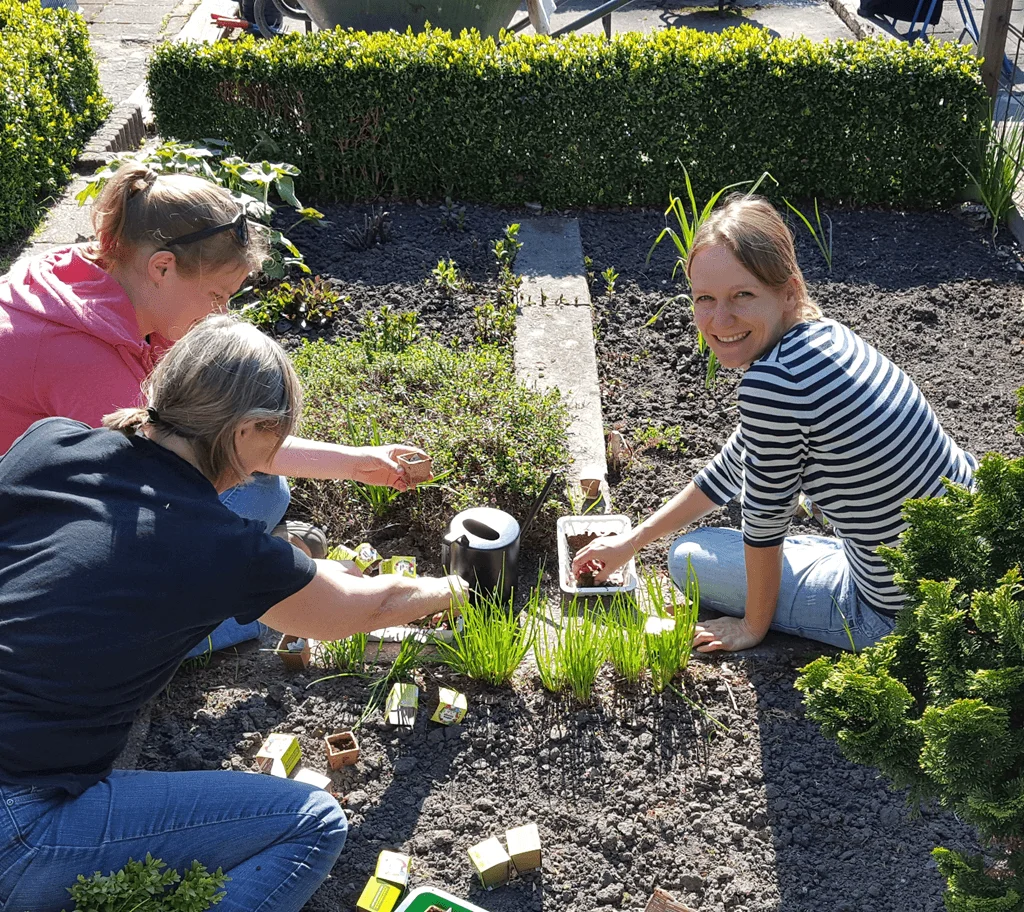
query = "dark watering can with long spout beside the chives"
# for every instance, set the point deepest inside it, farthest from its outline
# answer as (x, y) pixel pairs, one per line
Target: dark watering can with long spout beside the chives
(483, 547)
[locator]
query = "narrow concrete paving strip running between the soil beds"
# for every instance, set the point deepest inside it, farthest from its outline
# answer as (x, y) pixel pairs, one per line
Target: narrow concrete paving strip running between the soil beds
(556, 339)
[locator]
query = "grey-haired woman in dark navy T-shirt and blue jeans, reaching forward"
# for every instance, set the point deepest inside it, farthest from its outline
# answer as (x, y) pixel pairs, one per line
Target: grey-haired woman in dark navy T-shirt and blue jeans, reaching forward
(117, 558)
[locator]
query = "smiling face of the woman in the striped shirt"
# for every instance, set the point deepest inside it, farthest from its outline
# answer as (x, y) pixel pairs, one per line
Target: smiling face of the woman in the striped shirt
(739, 316)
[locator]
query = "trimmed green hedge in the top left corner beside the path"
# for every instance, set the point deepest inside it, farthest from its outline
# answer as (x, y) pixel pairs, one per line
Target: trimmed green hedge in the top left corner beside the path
(51, 103)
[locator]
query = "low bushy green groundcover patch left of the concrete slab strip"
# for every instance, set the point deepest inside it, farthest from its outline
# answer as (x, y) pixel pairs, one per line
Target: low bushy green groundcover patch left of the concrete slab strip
(494, 441)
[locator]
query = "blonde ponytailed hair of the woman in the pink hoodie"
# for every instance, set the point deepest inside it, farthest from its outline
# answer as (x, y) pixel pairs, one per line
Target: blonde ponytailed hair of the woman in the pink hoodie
(140, 209)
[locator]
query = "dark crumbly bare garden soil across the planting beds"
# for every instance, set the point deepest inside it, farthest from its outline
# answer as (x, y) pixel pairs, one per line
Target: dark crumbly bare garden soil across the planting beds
(741, 805)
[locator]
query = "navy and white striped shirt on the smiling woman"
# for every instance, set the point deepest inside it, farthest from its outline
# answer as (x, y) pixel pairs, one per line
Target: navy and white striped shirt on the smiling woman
(826, 415)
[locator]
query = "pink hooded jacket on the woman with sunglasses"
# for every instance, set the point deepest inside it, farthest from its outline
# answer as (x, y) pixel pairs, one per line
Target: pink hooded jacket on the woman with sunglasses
(70, 344)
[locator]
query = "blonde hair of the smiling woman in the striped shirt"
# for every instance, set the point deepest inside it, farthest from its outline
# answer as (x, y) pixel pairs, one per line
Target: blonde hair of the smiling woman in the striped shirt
(755, 234)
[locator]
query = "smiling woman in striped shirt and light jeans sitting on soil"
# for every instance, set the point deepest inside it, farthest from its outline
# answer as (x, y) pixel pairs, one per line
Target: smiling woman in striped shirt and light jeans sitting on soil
(823, 414)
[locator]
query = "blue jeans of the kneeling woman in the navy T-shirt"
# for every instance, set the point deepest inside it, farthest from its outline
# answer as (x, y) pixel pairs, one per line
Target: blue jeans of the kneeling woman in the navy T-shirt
(276, 839)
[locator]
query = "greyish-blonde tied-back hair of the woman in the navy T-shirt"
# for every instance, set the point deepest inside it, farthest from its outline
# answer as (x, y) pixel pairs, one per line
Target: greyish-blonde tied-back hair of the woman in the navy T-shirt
(222, 374)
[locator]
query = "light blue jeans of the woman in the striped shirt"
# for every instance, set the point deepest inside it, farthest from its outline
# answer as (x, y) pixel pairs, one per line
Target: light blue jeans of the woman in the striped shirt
(818, 598)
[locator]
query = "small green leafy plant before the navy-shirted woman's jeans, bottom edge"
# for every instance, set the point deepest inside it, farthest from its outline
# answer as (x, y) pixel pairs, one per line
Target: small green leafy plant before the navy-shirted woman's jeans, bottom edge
(146, 887)
